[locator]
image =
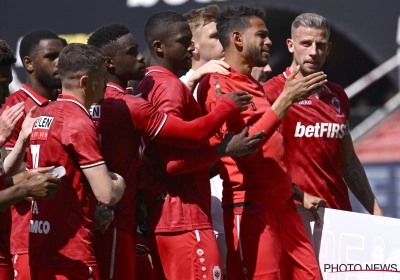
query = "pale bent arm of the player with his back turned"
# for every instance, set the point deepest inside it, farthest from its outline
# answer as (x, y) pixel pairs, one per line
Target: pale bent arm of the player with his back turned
(107, 187)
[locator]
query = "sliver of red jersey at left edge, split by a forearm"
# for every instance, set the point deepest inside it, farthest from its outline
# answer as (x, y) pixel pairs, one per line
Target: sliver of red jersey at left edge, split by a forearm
(5, 223)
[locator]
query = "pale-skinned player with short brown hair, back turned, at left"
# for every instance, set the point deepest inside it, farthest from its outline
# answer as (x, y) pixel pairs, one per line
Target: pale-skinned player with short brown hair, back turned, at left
(61, 237)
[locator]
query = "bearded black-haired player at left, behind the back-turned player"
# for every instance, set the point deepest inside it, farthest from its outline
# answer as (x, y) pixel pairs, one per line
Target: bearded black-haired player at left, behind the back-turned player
(39, 50)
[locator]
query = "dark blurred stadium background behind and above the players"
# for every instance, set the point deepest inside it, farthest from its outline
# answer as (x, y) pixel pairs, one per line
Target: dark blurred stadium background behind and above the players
(364, 59)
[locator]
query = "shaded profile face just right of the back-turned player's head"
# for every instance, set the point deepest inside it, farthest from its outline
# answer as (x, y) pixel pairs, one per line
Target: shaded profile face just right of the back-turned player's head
(129, 62)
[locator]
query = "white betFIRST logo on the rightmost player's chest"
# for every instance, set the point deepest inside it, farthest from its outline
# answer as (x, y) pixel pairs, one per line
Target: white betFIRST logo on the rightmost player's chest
(327, 130)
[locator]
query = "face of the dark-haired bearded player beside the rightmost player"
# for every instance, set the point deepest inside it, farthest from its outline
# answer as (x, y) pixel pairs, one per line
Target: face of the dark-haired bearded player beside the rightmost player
(257, 43)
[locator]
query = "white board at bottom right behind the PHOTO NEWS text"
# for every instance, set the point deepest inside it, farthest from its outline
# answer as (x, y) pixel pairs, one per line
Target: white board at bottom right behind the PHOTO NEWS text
(354, 246)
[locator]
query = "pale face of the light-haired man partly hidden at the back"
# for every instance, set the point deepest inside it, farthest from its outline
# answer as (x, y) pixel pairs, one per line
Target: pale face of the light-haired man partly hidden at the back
(207, 43)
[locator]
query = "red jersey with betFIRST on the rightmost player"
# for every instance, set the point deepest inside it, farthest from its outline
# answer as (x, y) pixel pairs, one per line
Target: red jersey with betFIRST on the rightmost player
(313, 130)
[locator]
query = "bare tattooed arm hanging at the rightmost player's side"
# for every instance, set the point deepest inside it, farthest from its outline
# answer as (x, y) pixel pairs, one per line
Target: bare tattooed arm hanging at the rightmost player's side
(356, 179)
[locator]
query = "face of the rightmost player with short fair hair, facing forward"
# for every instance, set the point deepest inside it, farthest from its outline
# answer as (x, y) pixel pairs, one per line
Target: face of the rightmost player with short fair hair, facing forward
(309, 47)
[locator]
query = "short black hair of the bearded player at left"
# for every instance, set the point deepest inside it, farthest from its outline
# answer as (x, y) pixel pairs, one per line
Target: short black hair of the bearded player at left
(32, 39)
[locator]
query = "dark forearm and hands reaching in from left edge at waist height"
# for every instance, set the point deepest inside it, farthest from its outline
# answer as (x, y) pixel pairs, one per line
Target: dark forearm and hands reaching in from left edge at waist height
(31, 184)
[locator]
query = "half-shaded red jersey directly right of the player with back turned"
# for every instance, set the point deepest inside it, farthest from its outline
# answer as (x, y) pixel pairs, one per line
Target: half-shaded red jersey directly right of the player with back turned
(121, 119)
